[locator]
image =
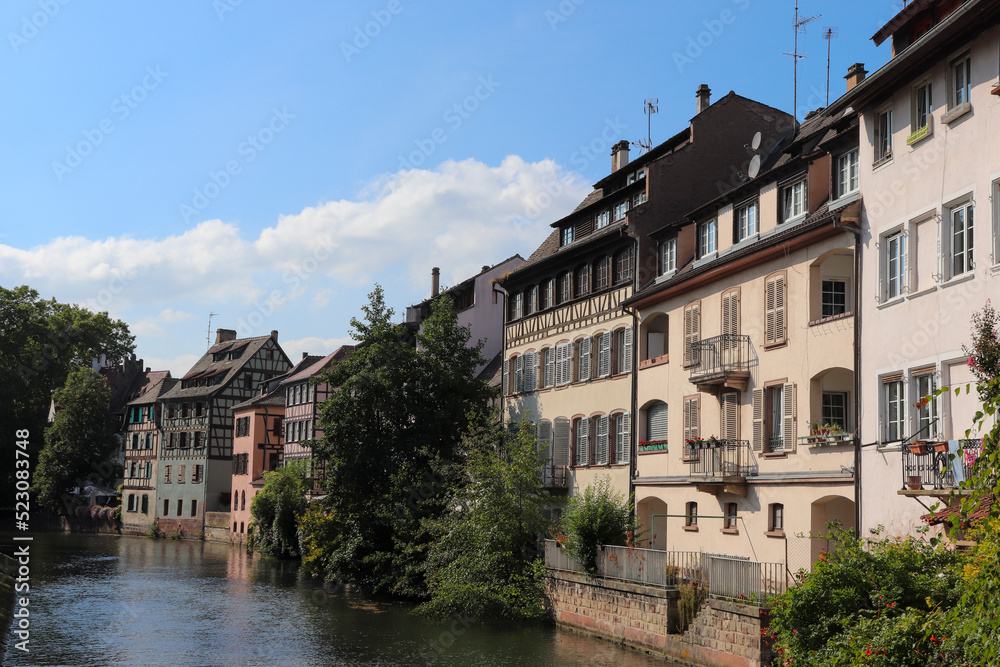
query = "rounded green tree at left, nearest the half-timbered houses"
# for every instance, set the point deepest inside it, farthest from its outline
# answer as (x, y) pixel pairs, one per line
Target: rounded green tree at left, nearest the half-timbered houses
(80, 444)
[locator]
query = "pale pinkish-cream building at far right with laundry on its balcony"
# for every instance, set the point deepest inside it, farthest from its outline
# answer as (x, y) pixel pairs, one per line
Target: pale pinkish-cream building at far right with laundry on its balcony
(930, 168)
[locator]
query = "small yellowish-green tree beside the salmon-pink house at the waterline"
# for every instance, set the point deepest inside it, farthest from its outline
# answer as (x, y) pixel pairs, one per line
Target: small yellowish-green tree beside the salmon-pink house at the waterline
(276, 511)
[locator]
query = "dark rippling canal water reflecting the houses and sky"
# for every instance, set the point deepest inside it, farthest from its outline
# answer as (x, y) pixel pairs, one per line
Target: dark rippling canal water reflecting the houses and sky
(105, 600)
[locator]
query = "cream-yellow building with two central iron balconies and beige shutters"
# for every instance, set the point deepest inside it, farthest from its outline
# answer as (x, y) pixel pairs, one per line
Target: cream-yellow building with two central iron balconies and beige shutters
(745, 340)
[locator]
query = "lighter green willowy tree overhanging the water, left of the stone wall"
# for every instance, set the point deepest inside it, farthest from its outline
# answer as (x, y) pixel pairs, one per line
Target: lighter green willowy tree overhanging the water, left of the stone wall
(483, 562)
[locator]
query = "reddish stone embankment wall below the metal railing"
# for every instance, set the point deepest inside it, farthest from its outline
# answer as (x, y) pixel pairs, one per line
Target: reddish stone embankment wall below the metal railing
(723, 634)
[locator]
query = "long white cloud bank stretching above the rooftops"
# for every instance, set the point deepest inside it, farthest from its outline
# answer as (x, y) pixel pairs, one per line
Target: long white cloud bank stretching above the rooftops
(458, 216)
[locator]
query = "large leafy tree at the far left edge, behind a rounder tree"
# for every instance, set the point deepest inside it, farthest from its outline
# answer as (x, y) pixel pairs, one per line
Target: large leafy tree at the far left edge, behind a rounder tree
(41, 342)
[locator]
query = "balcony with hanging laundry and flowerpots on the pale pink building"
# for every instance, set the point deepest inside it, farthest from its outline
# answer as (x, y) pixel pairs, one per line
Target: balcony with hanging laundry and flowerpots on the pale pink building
(928, 468)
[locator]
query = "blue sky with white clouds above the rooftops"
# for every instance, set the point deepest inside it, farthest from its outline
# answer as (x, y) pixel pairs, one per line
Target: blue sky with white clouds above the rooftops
(271, 162)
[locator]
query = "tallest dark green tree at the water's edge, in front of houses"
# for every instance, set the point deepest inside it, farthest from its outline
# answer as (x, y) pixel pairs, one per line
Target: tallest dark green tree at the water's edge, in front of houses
(391, 442)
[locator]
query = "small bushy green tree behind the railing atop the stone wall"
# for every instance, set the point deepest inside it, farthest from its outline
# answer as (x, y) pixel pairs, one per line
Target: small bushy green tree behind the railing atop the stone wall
(599, 515)
